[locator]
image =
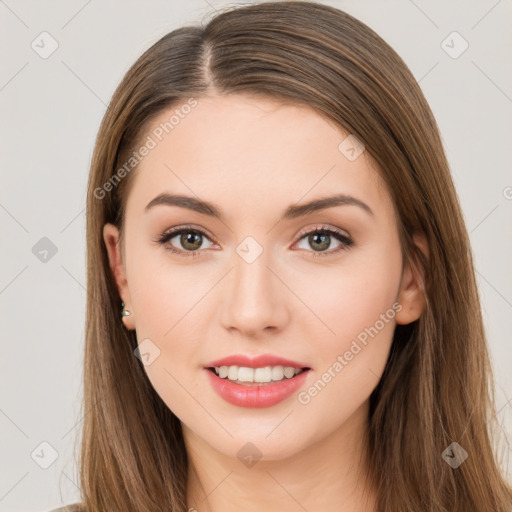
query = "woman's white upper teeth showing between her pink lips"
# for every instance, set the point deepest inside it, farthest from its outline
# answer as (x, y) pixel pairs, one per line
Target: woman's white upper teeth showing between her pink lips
(267, 375)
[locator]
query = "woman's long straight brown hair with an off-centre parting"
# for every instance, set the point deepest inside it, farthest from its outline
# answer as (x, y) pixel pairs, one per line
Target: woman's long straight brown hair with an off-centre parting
(437, 387)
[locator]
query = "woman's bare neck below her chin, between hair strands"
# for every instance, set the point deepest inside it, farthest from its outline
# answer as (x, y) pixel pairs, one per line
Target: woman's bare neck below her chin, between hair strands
(327, 475)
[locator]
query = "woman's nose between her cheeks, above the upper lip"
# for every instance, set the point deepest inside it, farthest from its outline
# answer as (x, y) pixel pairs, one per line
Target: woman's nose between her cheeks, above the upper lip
(254, 301)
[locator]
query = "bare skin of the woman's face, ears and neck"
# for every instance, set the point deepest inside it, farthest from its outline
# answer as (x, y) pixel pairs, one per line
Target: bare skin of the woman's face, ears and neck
(253, 158)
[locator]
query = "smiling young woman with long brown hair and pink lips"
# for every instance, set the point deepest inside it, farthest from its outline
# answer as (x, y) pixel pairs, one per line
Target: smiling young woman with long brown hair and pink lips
(282, 308)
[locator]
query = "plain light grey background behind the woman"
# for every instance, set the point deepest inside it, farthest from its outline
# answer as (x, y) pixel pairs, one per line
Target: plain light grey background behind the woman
(51, 110)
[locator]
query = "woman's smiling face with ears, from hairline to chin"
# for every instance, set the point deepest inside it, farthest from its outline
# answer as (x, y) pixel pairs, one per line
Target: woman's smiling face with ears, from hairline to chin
(249, 277)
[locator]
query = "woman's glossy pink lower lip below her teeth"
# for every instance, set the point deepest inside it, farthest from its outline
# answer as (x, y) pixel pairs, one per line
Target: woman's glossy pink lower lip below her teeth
(256, 396)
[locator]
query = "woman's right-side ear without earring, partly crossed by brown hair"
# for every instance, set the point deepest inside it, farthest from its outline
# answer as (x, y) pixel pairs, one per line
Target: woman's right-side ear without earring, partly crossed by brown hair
(412, 292)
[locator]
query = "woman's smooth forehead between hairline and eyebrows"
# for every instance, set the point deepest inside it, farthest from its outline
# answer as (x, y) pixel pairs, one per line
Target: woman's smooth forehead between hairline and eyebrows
(248, 151)
